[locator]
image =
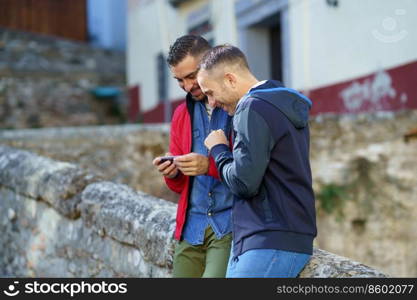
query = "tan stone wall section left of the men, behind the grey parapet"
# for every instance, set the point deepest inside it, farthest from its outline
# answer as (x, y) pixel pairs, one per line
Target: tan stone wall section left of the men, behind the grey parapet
(122, 154)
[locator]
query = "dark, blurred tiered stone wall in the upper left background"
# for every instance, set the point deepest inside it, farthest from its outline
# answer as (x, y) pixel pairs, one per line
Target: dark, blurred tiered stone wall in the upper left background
(47, 81)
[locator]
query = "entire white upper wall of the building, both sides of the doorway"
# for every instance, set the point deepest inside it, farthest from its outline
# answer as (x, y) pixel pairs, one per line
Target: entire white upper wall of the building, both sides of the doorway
(326, 45)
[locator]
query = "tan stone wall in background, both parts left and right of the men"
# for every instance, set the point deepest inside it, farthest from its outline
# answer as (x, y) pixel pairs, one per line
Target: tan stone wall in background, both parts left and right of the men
(363, 174)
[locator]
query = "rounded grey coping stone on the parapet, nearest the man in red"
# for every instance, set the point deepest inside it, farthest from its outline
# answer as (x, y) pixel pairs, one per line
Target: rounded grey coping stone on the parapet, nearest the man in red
(114, 210)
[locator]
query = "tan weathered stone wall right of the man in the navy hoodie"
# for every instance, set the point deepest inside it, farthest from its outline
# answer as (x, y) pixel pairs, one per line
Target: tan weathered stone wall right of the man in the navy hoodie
(364, 174)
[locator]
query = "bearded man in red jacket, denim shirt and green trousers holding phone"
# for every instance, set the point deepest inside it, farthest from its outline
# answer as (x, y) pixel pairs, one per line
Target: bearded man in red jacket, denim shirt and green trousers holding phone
(203, 222)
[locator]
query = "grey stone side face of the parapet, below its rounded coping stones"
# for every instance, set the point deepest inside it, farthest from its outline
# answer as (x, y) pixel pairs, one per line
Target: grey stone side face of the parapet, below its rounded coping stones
(40, 242)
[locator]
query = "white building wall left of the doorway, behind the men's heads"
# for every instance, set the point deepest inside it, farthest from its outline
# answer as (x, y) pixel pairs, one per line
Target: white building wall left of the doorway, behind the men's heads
(153, 25)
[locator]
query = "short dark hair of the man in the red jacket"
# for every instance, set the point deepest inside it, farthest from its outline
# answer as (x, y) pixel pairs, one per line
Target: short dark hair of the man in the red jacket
(193, 45)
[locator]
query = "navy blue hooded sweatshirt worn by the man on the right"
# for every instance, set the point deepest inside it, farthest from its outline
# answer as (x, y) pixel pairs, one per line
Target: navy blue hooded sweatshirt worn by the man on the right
(269, 171)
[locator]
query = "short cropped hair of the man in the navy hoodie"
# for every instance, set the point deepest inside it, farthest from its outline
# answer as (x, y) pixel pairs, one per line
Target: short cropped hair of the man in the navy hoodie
(223, 54)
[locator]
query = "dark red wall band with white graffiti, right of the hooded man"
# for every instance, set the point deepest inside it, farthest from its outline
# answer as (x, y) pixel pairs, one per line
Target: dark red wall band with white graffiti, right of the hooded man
(386, 90)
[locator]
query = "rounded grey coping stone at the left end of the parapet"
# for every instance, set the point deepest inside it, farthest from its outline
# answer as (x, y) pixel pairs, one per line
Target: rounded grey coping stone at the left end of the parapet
(57, 183)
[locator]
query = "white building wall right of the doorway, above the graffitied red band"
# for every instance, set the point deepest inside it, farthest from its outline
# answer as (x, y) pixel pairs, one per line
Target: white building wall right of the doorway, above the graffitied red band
(333, 44)
